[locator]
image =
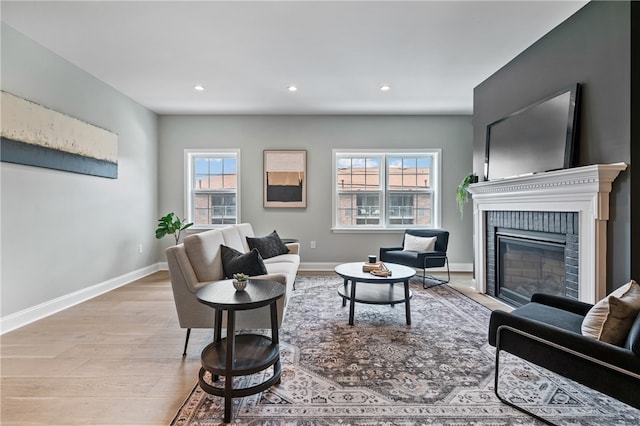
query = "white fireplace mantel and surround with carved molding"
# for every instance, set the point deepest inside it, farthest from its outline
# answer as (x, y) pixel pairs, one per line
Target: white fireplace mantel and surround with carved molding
(584, 190)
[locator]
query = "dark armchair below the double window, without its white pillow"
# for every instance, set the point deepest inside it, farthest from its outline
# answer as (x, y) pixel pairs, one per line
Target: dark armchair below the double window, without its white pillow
(432, 259)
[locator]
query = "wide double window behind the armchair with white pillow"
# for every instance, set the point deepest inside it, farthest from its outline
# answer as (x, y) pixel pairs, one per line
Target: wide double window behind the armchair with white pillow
(386, 189)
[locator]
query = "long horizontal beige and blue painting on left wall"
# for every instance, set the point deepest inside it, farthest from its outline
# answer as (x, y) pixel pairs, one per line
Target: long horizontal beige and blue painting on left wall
(34, 135)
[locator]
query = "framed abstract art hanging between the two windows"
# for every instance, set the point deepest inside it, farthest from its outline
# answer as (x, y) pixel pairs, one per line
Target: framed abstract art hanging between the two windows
(285, 178)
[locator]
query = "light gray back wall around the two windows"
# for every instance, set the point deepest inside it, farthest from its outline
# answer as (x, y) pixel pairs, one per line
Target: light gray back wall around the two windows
(318, 135)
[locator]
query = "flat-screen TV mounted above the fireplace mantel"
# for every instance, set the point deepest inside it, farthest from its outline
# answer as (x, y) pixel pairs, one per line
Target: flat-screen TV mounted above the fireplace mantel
(538, 138)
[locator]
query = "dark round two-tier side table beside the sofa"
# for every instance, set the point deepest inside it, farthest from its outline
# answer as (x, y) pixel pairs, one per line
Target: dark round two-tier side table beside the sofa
(242, 354)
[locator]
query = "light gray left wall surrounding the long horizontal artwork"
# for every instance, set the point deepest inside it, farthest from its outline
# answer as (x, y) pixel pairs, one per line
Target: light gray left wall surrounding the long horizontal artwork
(62, 232)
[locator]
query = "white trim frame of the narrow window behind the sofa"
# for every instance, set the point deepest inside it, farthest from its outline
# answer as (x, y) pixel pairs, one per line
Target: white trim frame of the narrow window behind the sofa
(188, 181)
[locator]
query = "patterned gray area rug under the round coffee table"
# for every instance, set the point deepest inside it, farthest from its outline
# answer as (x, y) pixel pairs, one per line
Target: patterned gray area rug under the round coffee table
(438, 371)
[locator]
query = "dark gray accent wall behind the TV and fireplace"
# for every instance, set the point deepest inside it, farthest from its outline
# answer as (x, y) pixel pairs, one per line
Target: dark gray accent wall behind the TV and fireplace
(593, 48)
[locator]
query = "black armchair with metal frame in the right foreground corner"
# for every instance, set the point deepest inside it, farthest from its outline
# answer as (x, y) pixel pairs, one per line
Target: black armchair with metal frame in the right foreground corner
(546, 332)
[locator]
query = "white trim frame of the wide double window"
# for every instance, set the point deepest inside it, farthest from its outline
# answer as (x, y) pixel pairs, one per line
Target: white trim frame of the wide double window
(383, 227)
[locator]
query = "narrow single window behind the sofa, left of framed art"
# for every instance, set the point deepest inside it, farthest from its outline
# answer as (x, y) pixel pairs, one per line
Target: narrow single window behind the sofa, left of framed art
(213, 188)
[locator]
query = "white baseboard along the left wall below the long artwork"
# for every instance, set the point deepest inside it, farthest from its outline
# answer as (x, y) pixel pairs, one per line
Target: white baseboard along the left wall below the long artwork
(27, 316)
